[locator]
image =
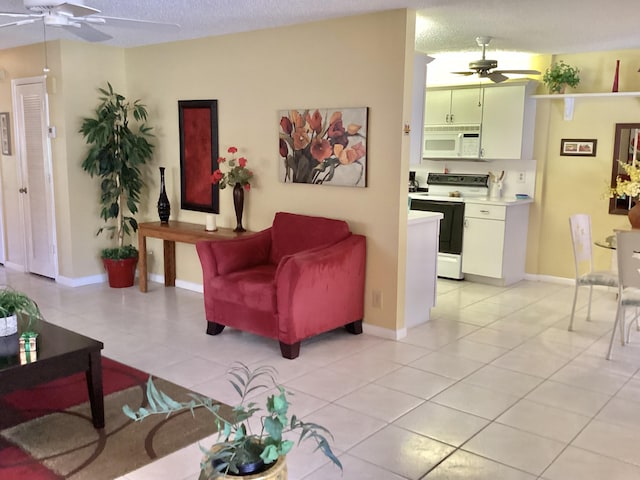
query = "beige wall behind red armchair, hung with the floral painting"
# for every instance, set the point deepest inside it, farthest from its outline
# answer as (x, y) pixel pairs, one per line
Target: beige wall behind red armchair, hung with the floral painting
(255, 74)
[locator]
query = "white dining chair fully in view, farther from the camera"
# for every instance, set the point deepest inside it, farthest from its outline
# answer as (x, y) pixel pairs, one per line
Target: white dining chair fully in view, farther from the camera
(586, 276)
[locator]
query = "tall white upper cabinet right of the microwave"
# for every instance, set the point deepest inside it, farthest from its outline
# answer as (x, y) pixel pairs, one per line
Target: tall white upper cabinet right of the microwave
(508, 120)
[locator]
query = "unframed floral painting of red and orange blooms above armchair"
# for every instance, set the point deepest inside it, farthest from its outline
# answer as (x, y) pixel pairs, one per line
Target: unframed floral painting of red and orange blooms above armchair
(324, 146)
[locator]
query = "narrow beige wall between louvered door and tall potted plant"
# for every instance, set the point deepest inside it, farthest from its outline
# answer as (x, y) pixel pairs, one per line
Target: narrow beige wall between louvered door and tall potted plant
(84, 68)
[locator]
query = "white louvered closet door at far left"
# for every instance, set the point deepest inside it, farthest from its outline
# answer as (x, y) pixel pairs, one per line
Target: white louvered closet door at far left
(36, 190)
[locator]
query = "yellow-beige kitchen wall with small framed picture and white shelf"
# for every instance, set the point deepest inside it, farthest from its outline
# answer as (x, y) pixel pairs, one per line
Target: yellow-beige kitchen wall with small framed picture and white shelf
(568, 185)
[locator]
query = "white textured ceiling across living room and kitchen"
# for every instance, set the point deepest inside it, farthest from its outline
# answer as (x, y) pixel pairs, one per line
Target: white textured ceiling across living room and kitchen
(542, 26)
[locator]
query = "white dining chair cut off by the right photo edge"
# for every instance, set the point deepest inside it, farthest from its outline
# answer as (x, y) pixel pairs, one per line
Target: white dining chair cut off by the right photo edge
(628, 250)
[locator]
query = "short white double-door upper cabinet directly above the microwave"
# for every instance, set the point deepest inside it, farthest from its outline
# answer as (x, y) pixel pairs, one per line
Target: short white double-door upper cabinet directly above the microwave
(453, 106)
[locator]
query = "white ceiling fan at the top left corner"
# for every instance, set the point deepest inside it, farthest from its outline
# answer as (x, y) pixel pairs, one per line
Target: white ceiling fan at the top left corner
(74, 16)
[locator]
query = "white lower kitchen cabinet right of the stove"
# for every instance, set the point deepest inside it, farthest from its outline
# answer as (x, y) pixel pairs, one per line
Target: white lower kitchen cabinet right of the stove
(494, 244)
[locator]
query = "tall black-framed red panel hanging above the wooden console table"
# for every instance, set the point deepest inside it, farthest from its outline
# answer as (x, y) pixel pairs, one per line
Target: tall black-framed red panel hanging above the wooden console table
(198, 125)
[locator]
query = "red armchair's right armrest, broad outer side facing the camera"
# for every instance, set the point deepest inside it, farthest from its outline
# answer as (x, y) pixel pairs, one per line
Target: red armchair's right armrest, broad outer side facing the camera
(321, 289)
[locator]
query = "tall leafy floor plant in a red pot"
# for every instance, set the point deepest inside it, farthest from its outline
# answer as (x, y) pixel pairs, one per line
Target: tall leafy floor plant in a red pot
(116, 154)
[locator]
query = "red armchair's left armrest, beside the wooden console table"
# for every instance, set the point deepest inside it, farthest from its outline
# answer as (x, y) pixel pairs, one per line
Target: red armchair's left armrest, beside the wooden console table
(220, 257)
